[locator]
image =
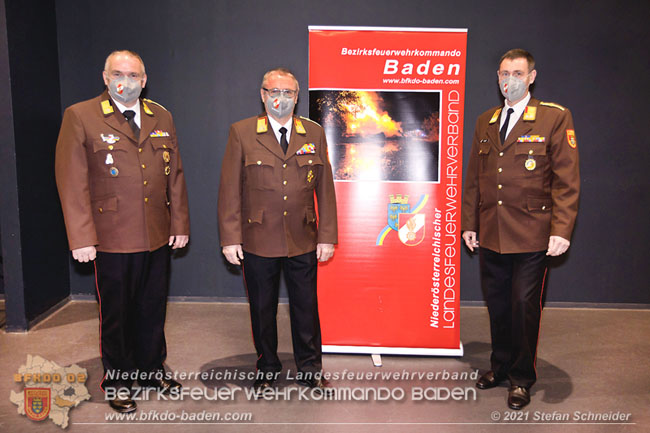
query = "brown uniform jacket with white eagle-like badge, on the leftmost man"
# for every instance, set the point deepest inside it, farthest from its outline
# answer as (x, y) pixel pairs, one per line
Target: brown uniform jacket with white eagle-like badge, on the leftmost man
(119, 194)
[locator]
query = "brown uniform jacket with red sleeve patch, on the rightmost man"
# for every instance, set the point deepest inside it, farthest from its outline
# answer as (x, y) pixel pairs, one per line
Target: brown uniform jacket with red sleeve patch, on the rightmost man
(520, 192)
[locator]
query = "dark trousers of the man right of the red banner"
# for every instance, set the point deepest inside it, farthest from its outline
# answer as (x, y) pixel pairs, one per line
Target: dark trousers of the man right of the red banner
(513, 285)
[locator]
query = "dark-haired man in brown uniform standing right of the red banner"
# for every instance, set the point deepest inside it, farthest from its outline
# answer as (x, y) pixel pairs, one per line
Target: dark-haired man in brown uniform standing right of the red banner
(521, 197)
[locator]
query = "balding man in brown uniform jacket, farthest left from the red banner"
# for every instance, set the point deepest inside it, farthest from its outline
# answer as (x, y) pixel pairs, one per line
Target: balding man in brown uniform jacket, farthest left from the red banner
(122, 190)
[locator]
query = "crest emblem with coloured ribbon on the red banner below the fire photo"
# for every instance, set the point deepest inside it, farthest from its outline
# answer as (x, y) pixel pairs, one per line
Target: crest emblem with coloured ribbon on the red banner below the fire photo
(406, 221)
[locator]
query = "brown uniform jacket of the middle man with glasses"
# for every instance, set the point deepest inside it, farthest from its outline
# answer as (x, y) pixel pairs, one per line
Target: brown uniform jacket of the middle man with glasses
(266, 198)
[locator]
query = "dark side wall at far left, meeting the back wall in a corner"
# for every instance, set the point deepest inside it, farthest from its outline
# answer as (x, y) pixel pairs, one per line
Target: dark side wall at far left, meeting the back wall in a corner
(36, 267)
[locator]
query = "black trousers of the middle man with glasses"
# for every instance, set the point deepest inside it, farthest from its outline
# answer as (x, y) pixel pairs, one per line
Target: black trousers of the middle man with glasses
(262, 278)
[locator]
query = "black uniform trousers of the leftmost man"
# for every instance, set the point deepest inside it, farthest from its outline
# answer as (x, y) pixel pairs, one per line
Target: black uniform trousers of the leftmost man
(132, 290)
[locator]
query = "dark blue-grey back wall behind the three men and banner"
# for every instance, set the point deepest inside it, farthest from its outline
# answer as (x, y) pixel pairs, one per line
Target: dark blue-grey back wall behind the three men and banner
(205, 59)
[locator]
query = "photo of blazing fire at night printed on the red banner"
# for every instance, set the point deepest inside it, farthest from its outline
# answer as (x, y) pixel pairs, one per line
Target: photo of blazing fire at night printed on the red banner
(367, 141)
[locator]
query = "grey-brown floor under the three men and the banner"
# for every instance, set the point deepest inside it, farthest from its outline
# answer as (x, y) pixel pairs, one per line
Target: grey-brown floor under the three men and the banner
(591, 361)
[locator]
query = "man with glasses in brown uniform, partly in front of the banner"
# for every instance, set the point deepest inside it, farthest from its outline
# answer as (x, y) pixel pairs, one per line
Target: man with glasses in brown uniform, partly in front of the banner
(273, 166)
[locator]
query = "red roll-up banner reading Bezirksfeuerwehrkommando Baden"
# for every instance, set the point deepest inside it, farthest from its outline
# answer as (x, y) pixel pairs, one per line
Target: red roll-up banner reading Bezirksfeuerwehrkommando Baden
(391, 102)
